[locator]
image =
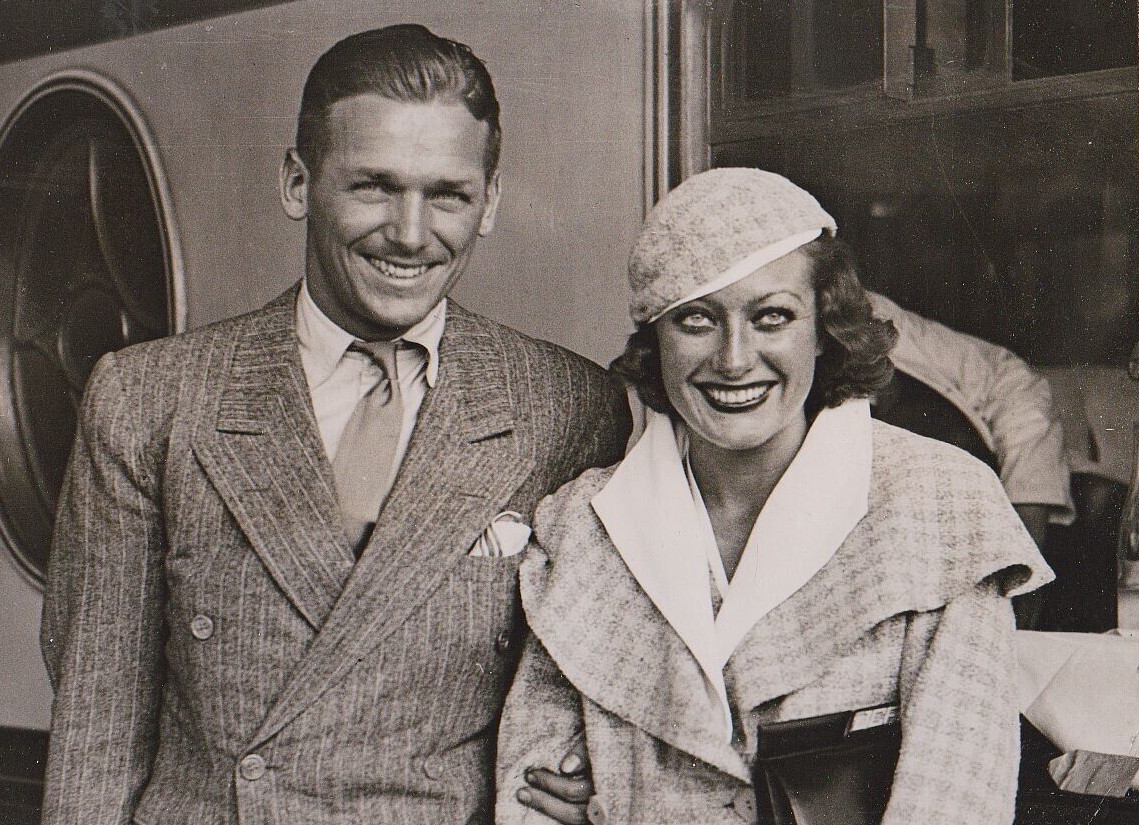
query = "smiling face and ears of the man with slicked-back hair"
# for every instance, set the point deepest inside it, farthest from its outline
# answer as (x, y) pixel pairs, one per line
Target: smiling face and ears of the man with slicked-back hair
(394, 210)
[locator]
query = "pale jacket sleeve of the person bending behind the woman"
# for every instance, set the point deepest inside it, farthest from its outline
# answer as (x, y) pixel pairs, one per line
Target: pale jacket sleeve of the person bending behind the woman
(1009, 403)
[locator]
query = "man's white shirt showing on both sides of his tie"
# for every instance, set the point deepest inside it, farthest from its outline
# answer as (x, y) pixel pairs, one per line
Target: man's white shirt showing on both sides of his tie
(338, 379)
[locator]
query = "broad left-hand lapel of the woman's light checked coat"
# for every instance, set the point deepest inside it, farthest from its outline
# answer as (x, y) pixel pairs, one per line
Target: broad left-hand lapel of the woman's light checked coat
(611, 640)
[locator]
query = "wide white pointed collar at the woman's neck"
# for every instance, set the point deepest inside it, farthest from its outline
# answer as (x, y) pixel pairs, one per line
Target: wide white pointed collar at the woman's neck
(663, 534)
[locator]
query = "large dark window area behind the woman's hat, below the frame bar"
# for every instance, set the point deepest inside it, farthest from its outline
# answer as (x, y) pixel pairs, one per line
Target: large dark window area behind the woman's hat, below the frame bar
(1017, 225)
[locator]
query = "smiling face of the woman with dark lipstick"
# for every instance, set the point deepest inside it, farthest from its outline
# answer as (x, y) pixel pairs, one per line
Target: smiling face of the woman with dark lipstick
(739, 364)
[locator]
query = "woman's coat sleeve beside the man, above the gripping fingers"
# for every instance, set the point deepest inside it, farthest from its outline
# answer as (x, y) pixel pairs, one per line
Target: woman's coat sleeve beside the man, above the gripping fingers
(542, 724)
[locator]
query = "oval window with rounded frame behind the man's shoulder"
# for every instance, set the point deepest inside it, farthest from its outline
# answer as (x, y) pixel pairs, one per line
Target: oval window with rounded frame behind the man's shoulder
(86, 268)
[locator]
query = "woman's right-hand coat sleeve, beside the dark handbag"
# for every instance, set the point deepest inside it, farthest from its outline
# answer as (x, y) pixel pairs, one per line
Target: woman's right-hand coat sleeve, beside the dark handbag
(961, 737)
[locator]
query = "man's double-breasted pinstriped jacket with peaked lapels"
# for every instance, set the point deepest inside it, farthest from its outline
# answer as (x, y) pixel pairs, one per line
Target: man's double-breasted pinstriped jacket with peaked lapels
(217, 654)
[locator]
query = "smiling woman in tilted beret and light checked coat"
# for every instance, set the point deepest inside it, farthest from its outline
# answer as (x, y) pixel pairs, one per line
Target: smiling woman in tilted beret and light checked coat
(766, 553)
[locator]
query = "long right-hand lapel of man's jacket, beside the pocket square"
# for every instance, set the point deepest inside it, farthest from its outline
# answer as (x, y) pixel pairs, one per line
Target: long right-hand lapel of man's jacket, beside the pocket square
(465, 460)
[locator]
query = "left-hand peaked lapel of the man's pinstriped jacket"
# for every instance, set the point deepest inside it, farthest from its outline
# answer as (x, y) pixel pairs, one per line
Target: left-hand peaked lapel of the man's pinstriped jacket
(265, 456)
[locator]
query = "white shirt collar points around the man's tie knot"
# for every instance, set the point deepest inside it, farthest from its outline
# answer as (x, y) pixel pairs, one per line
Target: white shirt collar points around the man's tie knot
(323, 342)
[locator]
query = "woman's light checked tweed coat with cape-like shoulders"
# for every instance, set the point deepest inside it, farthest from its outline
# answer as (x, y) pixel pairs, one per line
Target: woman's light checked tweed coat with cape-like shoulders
(913, 609)
